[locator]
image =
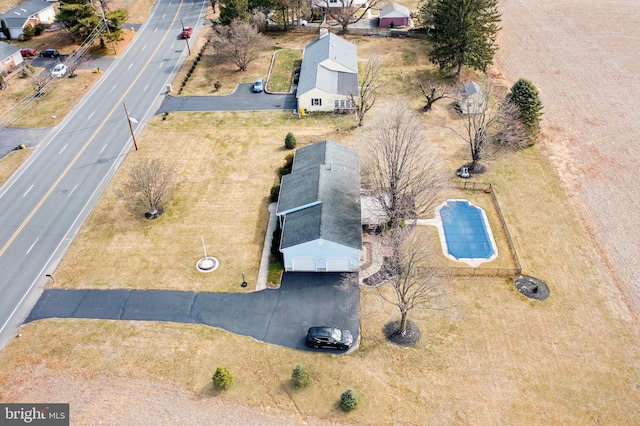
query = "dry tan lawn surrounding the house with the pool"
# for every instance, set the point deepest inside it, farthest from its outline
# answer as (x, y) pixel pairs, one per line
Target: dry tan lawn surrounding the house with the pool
(492, 357)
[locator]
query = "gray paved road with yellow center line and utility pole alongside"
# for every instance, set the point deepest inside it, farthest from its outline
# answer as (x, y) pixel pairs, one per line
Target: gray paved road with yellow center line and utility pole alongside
(44, 204)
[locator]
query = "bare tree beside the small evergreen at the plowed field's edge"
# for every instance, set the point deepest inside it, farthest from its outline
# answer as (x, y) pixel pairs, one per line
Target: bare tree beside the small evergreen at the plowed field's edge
(492, 127)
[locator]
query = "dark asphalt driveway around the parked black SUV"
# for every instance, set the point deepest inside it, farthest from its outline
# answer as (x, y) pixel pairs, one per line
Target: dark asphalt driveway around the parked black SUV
(280, 316)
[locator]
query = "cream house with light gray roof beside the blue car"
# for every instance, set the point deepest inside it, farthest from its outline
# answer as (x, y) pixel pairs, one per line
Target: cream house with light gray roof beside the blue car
(328, 75)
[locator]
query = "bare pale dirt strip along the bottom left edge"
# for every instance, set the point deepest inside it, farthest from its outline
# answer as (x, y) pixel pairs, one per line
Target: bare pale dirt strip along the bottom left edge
(111, 401)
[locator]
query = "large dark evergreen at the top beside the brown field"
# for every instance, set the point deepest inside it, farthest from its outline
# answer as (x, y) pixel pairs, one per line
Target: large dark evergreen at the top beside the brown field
(464, 32)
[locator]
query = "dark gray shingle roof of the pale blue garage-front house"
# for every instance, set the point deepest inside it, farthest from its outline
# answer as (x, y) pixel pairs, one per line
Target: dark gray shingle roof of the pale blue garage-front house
(335, 216)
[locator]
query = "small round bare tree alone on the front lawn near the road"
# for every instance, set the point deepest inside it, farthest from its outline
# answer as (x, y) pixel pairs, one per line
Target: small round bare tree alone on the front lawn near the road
(151, 183)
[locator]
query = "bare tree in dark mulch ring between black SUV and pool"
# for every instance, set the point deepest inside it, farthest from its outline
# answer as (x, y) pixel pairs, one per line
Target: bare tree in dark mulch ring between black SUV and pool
(414, 285)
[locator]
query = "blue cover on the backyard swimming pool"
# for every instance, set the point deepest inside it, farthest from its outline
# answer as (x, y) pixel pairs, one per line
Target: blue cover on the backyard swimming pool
(465, 231)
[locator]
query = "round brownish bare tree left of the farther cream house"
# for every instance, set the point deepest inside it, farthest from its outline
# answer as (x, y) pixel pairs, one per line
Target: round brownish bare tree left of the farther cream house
(239, 42)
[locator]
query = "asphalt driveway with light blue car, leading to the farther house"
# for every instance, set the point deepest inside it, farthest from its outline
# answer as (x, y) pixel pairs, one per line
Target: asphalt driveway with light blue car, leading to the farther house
(243, 99)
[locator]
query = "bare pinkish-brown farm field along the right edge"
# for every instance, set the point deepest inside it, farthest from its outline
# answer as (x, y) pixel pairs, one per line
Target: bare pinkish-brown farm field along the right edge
(583, 57)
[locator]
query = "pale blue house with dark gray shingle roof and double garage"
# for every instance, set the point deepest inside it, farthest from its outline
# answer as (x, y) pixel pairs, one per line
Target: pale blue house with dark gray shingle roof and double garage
(319, 210)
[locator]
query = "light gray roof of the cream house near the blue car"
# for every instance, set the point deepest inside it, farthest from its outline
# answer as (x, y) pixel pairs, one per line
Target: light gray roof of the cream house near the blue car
(339, 53)
